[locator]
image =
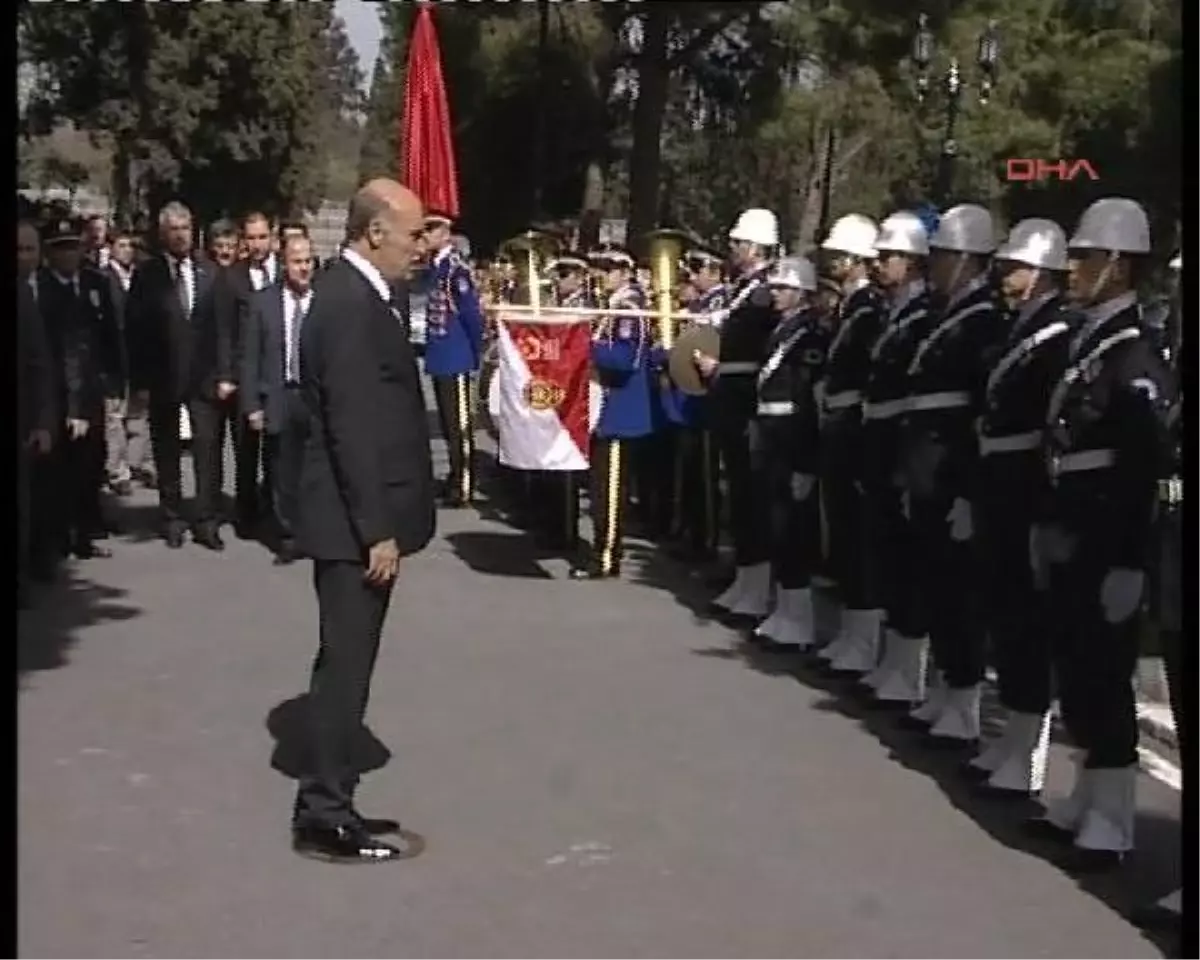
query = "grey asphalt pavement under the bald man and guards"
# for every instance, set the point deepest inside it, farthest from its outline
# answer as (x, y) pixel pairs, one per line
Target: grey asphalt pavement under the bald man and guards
(599, 776)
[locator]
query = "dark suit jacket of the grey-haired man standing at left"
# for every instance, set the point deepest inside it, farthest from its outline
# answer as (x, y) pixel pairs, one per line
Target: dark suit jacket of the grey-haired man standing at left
(176, 357)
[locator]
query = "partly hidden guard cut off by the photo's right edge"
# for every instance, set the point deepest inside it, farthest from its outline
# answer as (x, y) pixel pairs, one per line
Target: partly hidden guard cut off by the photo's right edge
(1168, 913)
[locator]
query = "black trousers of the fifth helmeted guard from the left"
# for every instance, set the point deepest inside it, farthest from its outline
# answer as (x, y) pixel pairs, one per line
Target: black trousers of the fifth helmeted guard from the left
(946, 584)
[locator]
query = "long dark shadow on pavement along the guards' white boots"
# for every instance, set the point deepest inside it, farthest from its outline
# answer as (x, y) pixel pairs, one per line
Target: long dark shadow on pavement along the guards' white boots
(1151, 873)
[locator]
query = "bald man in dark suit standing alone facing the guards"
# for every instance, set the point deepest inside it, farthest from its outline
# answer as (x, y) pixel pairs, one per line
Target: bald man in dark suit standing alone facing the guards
(367, 500)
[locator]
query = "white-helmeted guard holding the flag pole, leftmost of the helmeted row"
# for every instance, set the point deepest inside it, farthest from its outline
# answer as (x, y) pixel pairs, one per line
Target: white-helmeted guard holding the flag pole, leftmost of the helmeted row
(746, 329)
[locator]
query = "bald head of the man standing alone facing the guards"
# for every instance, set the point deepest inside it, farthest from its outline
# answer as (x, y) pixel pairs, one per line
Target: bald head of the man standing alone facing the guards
(385, 226)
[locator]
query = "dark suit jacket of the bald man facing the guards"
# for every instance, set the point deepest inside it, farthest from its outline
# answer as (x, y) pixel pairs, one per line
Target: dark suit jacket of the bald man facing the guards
(368, 473)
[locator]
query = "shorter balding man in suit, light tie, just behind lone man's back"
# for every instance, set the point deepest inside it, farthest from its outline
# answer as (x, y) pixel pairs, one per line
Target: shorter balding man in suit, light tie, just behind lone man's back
(271, 385)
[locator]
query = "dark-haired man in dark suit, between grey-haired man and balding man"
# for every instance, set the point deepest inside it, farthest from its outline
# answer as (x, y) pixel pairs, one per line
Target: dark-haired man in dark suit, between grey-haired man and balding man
(260, 271)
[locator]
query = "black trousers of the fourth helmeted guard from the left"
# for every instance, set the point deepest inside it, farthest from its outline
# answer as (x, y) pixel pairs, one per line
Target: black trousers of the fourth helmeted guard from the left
(892, 581)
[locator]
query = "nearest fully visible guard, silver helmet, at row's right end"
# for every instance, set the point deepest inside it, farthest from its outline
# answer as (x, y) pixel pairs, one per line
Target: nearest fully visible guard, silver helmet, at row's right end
(1107, 452)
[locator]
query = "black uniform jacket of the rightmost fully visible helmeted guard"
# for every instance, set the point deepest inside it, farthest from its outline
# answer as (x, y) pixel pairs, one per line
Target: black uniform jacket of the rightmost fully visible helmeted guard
(1107, 436)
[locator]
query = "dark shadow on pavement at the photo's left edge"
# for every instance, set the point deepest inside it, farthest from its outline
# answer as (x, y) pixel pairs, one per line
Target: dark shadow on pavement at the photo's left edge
(58, 613)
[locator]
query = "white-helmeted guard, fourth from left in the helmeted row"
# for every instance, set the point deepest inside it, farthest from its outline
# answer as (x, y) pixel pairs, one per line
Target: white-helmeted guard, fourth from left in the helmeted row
(902, 247)
